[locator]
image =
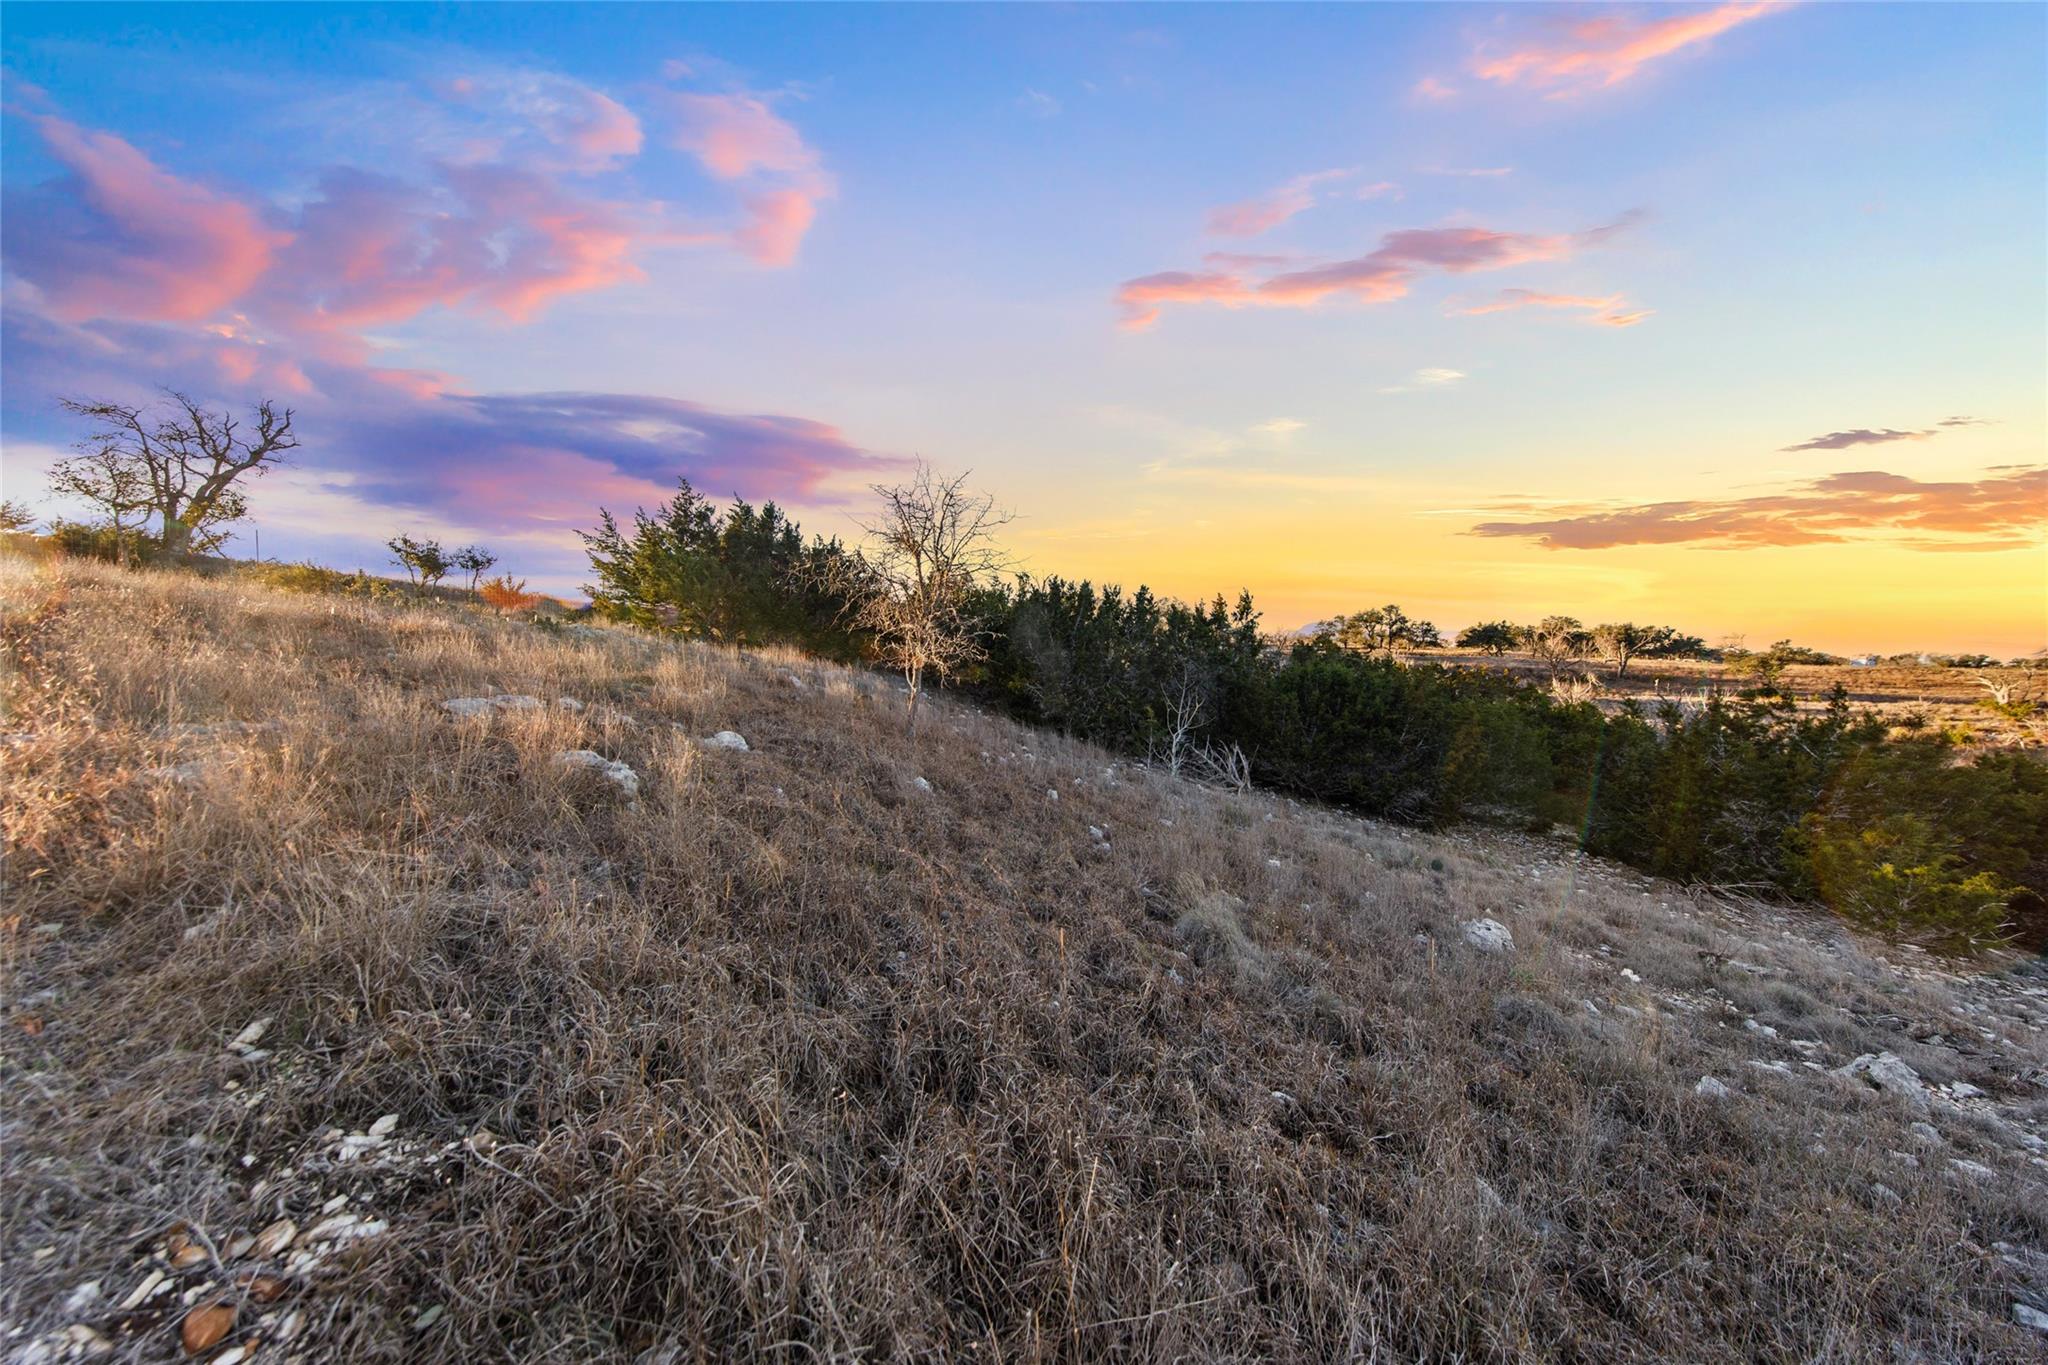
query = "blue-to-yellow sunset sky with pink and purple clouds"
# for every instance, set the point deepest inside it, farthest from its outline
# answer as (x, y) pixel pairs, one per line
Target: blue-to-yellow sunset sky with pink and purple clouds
(1717, 316)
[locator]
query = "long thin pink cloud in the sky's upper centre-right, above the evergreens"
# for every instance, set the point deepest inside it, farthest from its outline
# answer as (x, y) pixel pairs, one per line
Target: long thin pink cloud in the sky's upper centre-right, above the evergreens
(1377, 277)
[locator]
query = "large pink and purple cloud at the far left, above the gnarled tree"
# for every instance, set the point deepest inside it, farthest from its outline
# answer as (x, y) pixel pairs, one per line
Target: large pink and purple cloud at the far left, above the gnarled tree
(124, 238)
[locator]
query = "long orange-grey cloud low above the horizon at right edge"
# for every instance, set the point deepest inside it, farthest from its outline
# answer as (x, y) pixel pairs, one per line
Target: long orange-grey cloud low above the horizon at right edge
(2000, 511)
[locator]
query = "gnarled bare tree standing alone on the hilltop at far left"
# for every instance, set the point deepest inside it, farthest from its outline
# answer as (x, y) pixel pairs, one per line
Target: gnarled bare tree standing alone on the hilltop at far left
(189, 459)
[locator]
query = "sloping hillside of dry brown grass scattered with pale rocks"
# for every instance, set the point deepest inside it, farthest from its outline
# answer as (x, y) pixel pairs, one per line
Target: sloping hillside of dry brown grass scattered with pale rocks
(349, 1026)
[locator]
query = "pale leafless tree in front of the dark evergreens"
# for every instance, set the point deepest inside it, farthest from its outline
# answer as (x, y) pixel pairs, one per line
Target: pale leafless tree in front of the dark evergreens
(929, 549)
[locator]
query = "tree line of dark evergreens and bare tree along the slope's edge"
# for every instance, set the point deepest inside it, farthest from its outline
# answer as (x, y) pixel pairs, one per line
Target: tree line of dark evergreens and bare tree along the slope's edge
(1740, 789)
